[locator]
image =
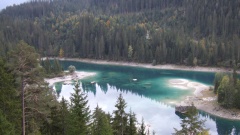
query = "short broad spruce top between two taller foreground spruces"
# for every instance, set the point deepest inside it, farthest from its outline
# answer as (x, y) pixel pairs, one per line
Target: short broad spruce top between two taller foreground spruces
(101, 123)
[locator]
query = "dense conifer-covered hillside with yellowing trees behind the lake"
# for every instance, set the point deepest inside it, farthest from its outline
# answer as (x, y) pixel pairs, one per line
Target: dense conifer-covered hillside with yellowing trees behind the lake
(190, 32)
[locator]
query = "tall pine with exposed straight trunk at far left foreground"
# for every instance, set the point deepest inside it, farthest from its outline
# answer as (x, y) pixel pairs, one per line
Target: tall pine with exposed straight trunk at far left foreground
(35, 93)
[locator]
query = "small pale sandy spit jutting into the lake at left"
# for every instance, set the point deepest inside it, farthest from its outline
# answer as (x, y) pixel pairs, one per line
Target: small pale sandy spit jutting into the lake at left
(68, 78)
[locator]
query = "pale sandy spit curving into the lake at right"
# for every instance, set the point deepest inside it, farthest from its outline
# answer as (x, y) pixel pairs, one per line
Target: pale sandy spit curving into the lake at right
(203, 99)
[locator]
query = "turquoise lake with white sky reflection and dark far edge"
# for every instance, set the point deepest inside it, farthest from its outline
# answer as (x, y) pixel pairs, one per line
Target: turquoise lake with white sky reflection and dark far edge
(150, 96)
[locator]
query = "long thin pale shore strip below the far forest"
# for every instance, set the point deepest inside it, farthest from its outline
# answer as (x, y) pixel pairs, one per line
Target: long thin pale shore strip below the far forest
(166, 66)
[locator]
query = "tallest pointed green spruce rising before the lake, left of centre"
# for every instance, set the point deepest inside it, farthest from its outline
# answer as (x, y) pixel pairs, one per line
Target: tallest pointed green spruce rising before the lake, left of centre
(79, 112)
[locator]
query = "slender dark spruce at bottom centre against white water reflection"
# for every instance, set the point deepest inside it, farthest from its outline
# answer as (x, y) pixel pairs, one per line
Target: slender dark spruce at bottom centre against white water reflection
(119, 123)
